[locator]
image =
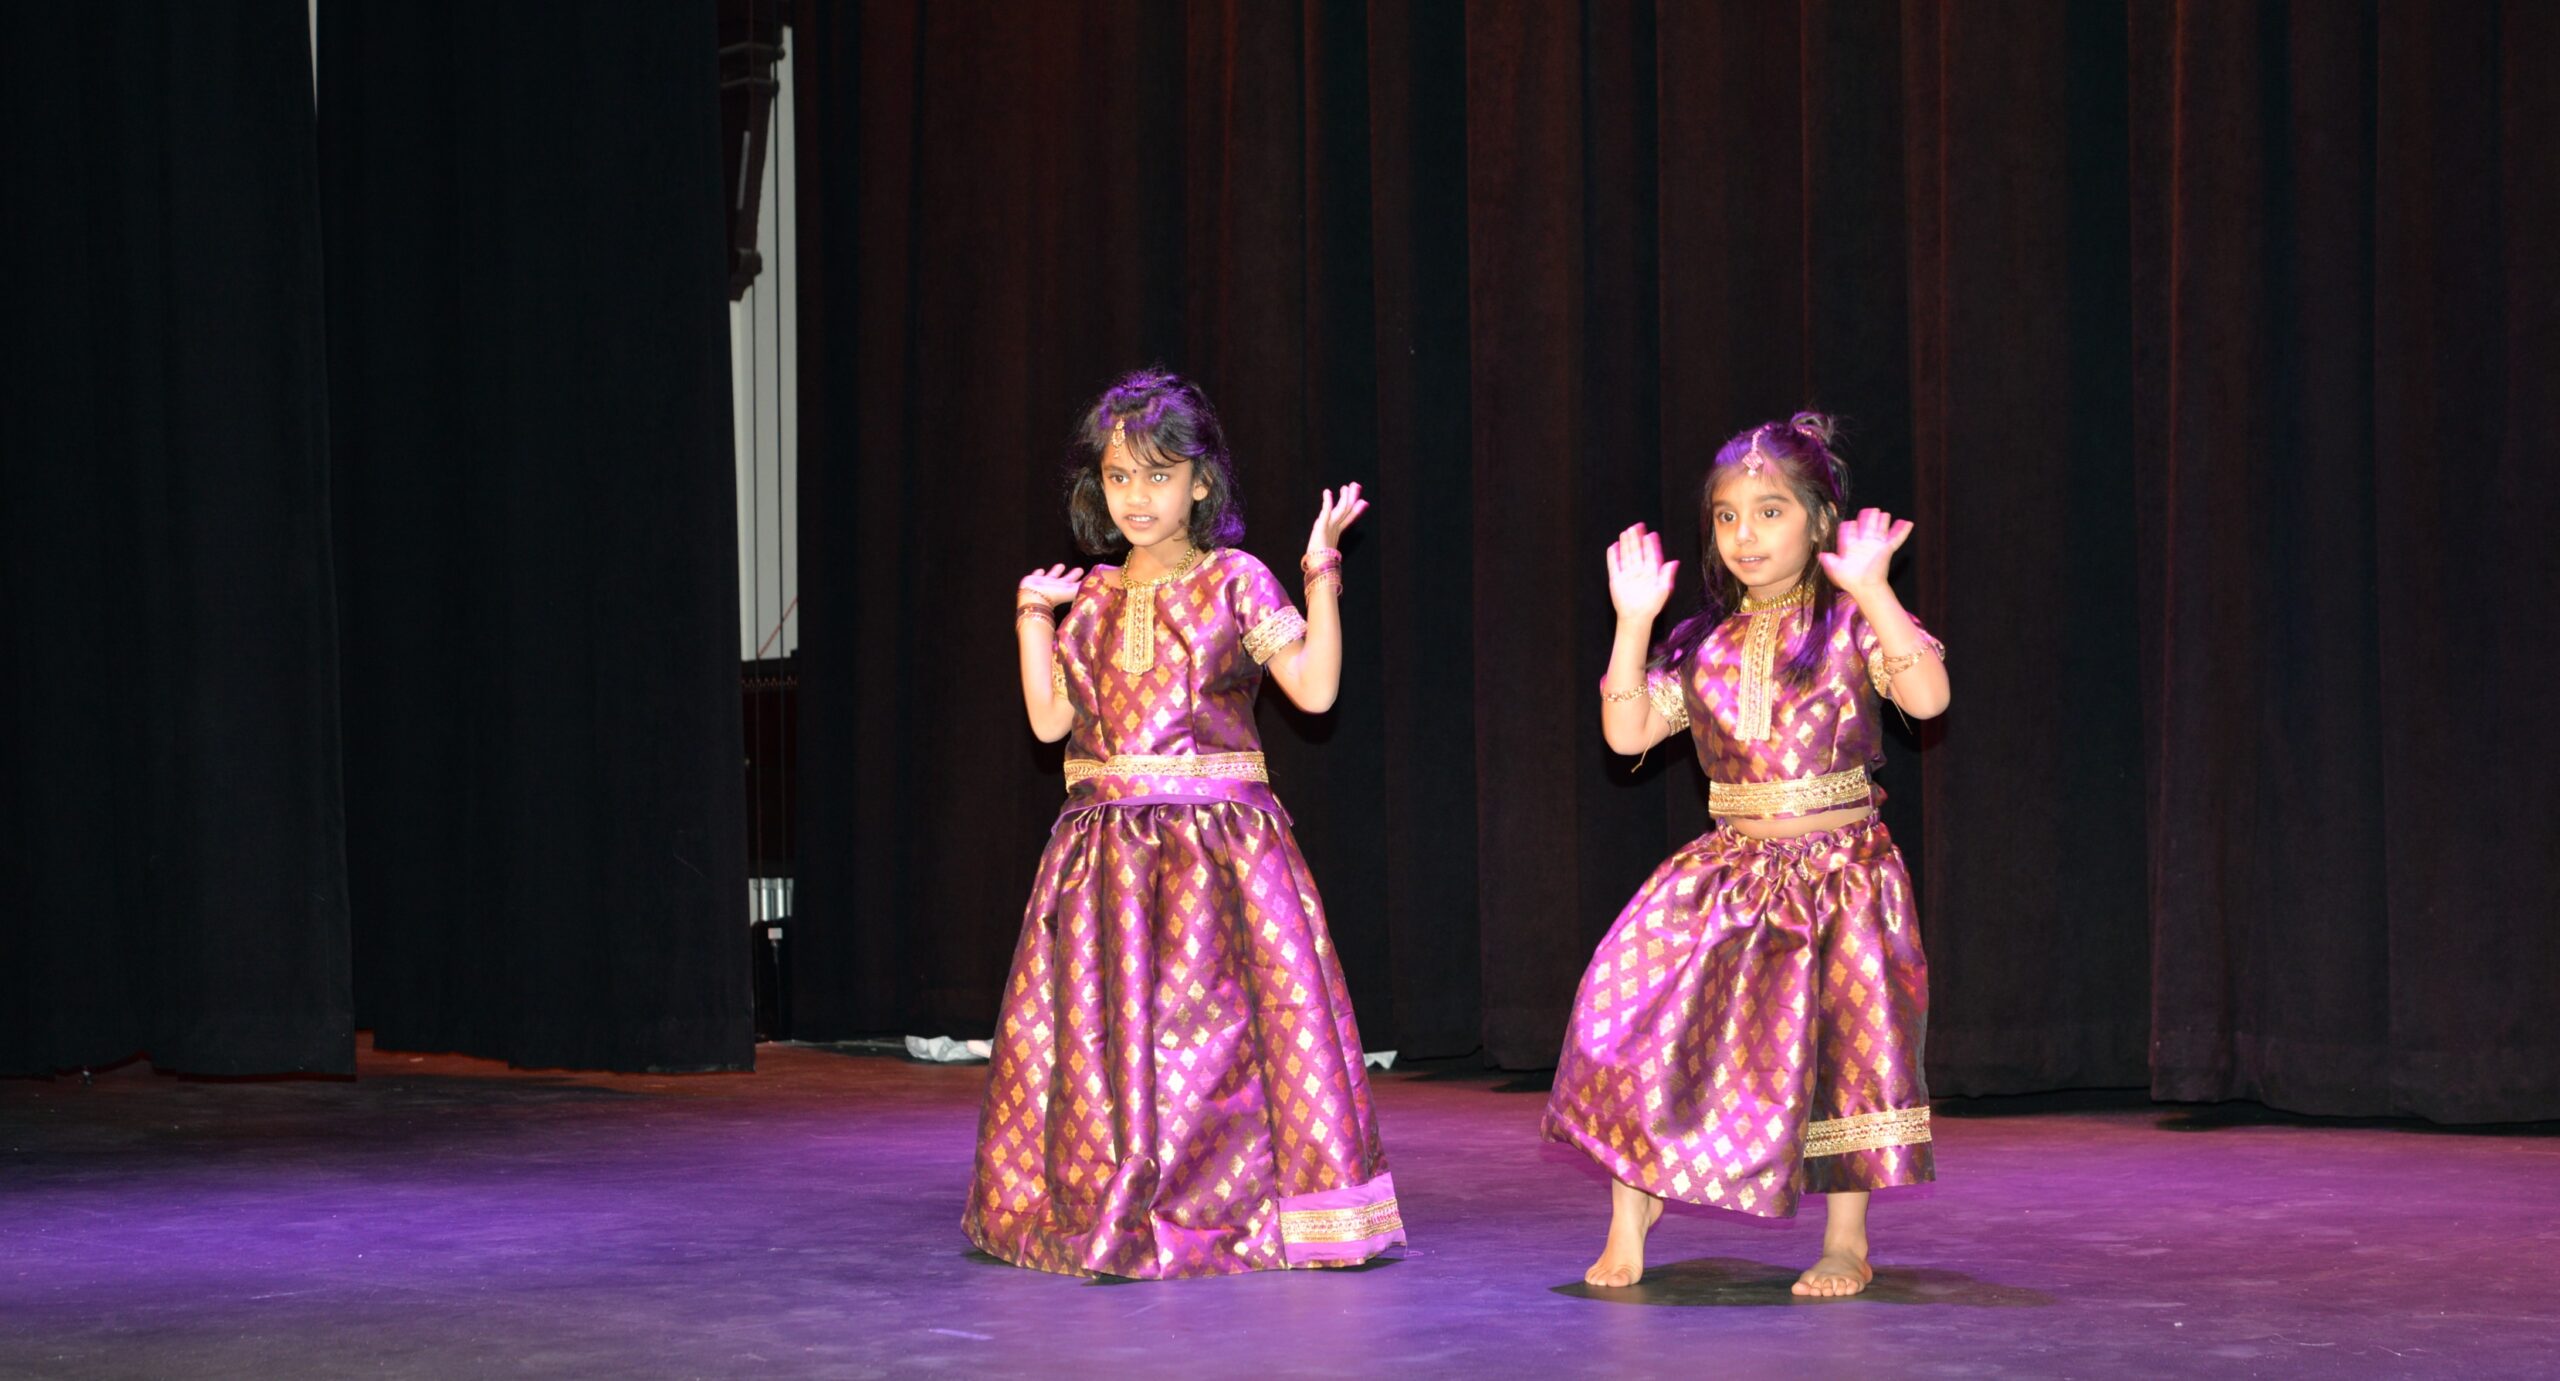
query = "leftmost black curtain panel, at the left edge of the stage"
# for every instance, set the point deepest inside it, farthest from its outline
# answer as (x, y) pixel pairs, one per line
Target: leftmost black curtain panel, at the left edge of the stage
(173, 875)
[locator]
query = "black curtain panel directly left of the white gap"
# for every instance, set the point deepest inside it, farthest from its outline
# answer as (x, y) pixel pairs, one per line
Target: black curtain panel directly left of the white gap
(536, 511)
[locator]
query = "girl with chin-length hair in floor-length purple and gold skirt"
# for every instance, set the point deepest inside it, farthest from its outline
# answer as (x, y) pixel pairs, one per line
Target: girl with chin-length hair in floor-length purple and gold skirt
(1176, 1080)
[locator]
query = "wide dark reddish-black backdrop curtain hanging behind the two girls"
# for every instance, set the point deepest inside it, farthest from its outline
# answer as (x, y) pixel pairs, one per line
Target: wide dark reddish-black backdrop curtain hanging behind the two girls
(2198, 339)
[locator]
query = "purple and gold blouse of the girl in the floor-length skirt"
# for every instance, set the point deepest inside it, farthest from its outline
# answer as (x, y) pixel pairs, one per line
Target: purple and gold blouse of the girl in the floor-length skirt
(1164, 680)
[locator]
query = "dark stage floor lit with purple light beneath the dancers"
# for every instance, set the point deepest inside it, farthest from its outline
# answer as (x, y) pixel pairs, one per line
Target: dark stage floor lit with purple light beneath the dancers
(452, 1218)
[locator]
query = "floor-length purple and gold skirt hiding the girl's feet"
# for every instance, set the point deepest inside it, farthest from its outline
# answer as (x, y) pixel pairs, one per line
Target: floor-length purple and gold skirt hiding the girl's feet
(1176, 1083)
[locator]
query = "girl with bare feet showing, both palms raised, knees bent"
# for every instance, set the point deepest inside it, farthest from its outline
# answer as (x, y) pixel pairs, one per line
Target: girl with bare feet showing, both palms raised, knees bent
(1752, 1024)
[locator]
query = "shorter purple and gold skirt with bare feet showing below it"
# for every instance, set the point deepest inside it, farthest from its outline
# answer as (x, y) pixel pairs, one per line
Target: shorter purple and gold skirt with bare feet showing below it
(1752, 1026)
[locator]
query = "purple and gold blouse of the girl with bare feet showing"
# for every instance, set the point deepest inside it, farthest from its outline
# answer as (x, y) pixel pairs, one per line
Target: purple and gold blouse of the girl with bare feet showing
(1773, 749)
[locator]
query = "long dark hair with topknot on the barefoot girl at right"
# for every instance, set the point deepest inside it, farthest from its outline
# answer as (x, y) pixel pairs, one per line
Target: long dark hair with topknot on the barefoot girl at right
(1801, 452)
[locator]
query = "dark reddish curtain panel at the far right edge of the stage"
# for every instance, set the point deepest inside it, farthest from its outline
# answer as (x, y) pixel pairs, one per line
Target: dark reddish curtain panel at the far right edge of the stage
(2349, 329)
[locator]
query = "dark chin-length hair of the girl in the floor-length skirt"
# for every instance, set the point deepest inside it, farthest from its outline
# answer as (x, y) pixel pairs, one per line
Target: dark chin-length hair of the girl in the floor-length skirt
(1169, 421)
